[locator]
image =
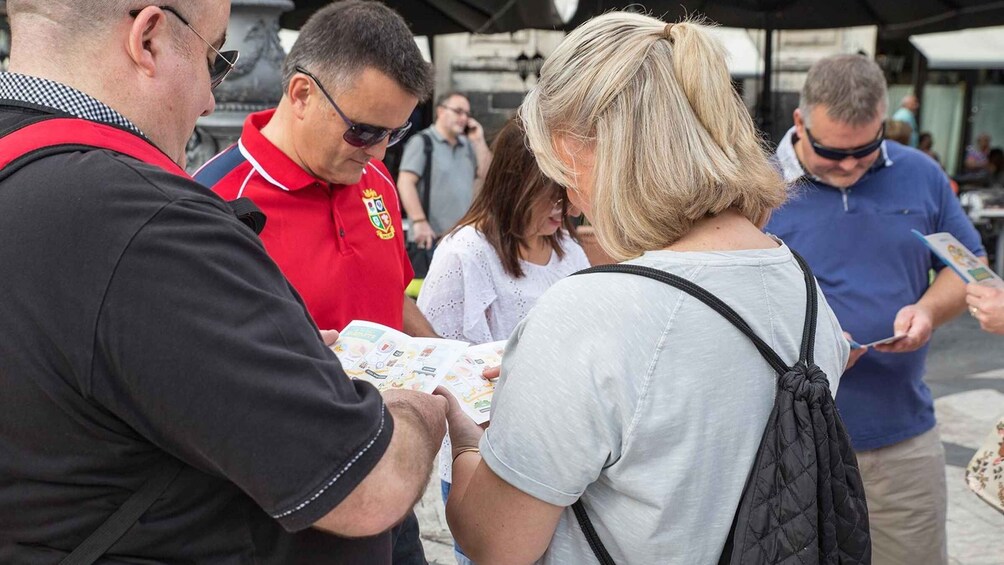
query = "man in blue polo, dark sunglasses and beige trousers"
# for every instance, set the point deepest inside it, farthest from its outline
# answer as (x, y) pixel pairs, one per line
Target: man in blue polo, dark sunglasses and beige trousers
(857, 199)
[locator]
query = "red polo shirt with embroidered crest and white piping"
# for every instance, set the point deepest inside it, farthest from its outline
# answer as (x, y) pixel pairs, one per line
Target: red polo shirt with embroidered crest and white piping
(342, 246)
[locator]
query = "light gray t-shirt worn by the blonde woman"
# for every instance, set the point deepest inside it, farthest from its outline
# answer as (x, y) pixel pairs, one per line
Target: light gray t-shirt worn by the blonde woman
(647, 404)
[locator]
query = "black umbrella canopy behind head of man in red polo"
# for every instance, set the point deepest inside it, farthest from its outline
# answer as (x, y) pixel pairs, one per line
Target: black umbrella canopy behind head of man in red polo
(434, 18)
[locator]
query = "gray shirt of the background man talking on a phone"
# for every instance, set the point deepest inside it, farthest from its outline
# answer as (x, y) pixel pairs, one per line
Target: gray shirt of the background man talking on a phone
(454, 170)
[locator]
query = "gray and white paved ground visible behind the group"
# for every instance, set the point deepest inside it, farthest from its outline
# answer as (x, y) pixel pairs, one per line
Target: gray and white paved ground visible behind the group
(966, 376)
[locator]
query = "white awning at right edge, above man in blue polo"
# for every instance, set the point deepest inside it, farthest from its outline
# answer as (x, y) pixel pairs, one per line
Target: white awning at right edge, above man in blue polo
(969, 49)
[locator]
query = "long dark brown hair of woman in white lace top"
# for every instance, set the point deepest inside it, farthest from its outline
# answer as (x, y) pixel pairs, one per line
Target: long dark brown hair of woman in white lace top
(504, 209)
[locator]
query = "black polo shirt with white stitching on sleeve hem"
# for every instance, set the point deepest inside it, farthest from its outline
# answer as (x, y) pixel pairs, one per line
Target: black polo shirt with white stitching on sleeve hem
(141, 322)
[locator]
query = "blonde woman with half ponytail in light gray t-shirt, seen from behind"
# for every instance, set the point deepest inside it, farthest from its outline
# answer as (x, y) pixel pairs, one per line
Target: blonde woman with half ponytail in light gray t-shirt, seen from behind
(618, 390)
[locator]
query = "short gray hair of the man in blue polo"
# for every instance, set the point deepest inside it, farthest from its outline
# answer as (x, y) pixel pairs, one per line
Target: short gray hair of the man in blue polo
(851, 88)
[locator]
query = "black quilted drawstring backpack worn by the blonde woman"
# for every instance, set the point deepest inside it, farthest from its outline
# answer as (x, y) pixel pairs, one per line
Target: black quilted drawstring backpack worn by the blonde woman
(804, 502)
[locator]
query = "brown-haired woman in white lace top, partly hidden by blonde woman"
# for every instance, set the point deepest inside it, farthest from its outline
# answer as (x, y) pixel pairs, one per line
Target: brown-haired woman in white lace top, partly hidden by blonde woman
(506, 252)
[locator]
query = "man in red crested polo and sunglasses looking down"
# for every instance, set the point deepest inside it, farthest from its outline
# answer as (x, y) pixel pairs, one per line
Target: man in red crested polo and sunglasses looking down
(314, 167)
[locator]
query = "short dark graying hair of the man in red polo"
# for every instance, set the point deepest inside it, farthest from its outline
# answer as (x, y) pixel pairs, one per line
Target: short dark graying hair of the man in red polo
(343, 40)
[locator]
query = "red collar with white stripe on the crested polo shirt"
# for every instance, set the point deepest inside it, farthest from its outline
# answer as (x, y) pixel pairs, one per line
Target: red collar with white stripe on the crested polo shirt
(270, 161)
